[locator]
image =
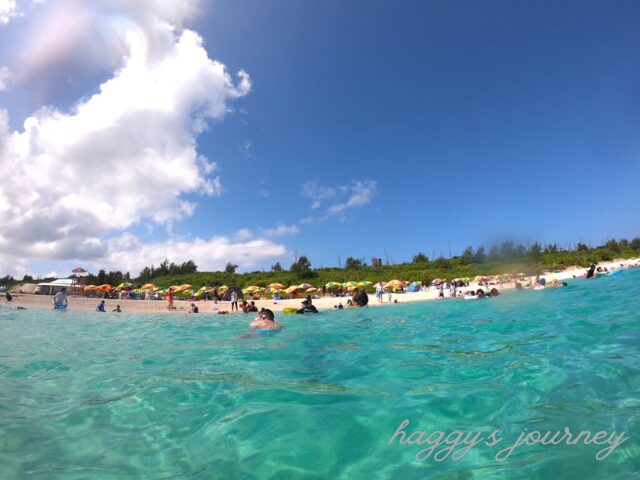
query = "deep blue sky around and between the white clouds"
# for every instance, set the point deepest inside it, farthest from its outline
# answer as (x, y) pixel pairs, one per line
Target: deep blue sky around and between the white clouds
(471, 122)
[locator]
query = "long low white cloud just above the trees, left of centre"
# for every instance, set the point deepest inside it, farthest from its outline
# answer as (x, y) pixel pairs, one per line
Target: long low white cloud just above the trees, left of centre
(127, 253)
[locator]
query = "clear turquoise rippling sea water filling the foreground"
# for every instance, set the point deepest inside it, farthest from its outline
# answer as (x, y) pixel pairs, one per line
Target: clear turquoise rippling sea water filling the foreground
(142, 396)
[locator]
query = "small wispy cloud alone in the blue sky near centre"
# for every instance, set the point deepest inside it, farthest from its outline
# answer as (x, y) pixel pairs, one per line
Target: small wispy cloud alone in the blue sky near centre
(343, 197)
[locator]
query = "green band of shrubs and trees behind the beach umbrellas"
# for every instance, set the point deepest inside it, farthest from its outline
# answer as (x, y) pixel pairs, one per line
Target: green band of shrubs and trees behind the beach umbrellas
(503, 258)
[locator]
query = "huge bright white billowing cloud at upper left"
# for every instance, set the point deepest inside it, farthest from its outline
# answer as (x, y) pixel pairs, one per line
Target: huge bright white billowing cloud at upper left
(125, 154)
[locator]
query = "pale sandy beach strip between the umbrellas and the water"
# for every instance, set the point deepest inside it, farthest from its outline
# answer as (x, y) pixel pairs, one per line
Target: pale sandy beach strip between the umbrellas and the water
(84, 304)
